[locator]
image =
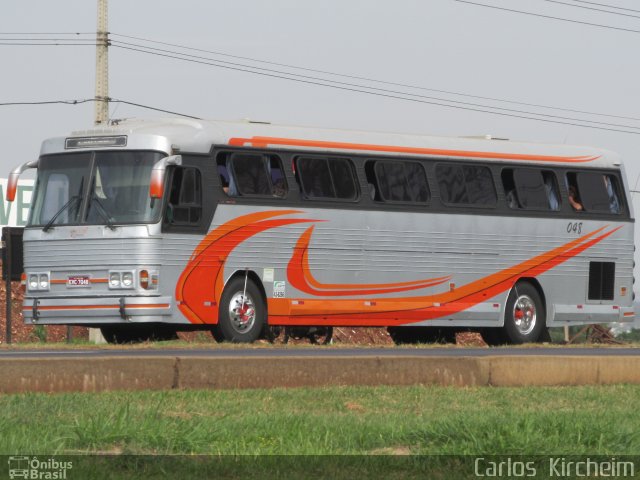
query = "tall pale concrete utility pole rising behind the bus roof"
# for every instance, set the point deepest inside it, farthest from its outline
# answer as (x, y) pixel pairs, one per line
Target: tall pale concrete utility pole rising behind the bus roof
(102, 65)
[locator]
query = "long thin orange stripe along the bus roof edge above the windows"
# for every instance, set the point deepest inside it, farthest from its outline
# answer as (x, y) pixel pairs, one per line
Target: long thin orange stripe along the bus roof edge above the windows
(262, 142)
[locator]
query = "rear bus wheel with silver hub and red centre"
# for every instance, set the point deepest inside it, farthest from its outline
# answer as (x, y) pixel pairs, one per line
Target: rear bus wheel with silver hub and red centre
(525, 315)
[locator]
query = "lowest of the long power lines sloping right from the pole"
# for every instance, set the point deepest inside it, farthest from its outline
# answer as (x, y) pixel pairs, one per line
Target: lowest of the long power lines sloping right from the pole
(391, 94)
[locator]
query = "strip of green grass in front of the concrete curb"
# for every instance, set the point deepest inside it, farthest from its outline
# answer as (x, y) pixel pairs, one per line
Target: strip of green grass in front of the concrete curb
(333, 433)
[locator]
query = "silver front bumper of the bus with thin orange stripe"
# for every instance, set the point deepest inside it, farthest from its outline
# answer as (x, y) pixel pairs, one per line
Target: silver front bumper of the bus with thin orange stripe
(97, 310)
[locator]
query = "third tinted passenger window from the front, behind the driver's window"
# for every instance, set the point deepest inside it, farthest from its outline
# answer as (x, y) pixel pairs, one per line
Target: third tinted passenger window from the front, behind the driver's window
(401, 181)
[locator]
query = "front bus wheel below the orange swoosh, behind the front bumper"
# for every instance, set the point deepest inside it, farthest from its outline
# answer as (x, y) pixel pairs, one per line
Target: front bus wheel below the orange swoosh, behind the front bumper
(242, 315)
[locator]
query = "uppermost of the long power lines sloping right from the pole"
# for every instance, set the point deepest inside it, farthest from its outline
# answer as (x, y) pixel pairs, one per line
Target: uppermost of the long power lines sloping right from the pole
(372, 80)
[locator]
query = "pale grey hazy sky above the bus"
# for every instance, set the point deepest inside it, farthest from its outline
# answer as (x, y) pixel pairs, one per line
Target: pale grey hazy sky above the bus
(435, 46)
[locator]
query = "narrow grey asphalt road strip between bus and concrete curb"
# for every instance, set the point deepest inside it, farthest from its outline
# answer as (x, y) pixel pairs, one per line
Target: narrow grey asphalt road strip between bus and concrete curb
(320, 352)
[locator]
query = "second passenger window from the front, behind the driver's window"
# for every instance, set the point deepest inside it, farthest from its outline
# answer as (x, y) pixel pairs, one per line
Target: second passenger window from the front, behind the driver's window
(329, 178)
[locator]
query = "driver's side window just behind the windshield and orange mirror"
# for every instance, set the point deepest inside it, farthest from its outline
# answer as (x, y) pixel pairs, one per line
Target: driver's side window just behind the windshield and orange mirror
(185, 197)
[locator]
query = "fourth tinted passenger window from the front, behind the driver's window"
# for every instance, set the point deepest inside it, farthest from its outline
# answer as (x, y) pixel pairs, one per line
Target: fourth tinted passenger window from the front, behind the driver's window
(466, 185)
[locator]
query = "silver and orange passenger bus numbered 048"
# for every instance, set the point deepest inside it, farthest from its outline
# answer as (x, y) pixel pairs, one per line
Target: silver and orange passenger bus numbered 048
(146, 228)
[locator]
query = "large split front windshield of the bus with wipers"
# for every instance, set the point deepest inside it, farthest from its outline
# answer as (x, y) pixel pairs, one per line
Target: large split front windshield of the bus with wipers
(101, 188)
